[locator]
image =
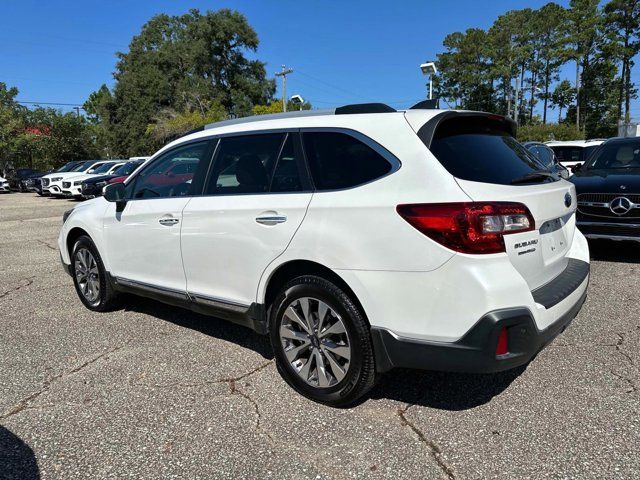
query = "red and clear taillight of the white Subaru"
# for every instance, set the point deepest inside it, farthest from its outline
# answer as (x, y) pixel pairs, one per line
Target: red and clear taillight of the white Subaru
(470, 227)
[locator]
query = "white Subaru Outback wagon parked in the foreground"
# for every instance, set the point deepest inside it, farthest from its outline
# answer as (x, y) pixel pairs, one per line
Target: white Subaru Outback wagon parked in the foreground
(359, 239)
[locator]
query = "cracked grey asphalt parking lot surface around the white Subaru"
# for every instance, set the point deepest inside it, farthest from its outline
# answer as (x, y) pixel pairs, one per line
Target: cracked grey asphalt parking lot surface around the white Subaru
(158, 392)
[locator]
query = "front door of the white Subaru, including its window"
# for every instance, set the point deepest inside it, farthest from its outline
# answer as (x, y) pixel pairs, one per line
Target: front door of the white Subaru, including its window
(143, 241)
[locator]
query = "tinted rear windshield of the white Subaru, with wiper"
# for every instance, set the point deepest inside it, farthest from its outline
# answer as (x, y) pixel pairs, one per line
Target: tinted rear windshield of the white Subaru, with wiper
(482, 150)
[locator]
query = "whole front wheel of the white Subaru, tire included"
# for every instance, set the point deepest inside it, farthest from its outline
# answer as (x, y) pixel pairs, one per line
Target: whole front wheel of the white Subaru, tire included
(90, 277)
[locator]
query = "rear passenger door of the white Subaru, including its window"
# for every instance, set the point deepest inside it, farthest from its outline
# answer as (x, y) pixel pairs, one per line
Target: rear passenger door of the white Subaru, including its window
(256, 196)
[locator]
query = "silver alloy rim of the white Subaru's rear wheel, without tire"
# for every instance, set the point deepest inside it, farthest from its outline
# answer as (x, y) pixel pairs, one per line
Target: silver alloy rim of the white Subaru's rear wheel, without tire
(315, 342)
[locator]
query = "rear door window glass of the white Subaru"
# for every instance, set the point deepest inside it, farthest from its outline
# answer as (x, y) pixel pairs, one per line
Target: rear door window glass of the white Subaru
(244, 164)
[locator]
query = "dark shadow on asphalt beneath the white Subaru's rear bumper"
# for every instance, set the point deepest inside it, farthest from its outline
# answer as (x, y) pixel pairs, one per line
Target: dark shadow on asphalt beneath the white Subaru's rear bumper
(444, 390)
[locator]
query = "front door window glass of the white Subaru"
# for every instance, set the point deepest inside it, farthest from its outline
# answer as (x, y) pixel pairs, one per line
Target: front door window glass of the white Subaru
(171, 175)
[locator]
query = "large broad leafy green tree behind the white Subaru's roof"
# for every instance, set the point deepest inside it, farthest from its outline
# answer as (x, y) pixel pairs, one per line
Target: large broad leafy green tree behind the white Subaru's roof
(184, 63)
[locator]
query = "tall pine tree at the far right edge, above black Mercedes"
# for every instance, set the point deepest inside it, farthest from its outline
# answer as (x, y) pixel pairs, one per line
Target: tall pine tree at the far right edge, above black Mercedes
(622, 30)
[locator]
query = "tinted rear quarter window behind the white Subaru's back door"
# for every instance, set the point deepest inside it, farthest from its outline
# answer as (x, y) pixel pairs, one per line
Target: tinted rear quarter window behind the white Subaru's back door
(338, 160)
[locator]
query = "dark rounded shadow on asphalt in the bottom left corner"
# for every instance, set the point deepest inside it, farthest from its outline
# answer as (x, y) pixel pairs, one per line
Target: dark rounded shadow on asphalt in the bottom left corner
(17, 460)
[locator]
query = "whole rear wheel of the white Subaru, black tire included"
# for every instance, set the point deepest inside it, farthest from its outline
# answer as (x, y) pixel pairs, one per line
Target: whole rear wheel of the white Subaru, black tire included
(321, 342)
